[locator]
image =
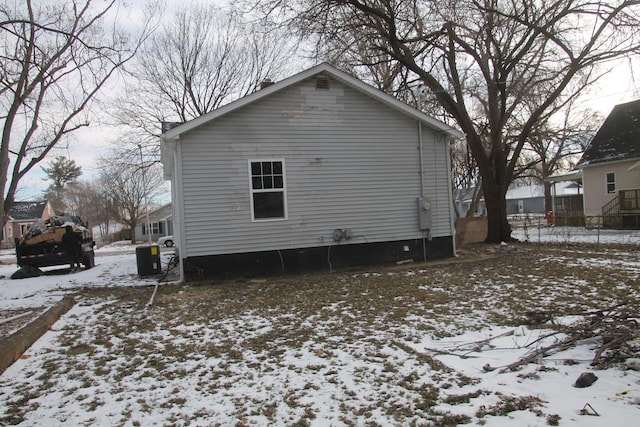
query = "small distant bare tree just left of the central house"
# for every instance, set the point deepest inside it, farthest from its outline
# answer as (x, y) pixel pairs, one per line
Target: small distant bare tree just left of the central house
(130, 186)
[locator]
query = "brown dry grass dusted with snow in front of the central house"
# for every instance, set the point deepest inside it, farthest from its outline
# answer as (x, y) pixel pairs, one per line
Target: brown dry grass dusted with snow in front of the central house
(220, 335)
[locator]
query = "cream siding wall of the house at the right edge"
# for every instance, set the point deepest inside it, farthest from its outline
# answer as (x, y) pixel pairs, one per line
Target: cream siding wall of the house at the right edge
(595, 184)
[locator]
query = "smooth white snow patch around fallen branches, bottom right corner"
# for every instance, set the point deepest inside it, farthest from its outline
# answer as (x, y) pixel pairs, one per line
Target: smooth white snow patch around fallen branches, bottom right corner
(615, 395)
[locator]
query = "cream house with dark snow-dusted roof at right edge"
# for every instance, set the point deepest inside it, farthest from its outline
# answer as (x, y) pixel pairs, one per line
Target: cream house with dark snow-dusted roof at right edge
(611, 170)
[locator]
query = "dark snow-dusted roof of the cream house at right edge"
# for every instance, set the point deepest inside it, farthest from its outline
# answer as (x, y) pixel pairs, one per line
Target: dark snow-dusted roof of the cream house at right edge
(618, 138)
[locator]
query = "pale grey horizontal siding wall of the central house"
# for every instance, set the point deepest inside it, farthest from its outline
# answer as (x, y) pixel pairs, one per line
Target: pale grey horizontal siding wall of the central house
(350, 163)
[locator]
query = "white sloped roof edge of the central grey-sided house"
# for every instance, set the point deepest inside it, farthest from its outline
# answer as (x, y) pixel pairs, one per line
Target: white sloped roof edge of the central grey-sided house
(324, 68)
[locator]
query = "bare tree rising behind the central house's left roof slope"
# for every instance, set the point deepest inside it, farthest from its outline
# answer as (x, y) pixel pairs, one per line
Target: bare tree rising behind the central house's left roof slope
(201, 59)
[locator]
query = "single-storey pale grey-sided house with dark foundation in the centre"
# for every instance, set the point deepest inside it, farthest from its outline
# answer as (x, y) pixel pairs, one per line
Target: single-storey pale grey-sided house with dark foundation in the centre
(317, 171)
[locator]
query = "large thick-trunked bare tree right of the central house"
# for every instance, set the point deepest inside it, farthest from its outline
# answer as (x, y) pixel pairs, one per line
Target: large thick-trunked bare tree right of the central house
(493, 66)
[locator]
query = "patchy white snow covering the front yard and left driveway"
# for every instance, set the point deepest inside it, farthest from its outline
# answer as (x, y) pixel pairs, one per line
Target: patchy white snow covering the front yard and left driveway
(311, 369)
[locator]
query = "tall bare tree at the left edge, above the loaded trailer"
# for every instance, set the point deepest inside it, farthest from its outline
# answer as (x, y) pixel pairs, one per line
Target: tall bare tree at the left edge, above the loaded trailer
(55, 59)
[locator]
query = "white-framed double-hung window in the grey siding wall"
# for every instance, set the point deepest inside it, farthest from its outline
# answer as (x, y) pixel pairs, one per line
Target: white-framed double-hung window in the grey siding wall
(268, 189)
